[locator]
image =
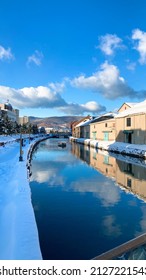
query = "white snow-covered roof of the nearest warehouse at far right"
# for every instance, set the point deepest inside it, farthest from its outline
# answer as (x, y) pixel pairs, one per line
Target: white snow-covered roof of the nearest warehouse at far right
(137, 109)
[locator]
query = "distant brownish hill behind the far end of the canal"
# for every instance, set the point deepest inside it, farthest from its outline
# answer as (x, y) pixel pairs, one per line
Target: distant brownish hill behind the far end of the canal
(63, 121)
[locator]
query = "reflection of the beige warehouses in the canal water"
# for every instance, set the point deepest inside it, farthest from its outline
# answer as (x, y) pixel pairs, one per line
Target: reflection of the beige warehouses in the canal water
(129, 174)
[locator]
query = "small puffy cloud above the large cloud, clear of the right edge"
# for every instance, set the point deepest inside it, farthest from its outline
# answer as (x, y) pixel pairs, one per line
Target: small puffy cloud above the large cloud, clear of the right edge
(109, 43)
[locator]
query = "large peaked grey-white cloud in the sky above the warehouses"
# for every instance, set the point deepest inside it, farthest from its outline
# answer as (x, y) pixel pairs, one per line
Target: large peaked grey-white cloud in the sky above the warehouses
(106, 81)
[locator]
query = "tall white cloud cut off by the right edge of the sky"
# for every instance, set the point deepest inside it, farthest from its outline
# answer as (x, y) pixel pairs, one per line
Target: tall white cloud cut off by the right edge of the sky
(140, 45)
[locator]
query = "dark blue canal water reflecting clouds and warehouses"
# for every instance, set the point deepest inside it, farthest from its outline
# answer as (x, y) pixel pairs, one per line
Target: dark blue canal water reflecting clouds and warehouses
(85, 201)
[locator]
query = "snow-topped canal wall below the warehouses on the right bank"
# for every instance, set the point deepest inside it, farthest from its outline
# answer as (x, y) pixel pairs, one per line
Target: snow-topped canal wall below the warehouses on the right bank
(116, 147)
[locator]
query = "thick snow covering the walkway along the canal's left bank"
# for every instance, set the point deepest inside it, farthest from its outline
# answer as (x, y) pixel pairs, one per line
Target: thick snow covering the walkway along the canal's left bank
(19, 236)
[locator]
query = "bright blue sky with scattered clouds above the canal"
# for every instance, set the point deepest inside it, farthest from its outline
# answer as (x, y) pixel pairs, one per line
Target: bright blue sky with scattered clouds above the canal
(64, 57)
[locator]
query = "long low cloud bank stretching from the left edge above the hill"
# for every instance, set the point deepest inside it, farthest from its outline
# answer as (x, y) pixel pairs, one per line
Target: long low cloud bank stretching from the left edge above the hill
(46, 97)
